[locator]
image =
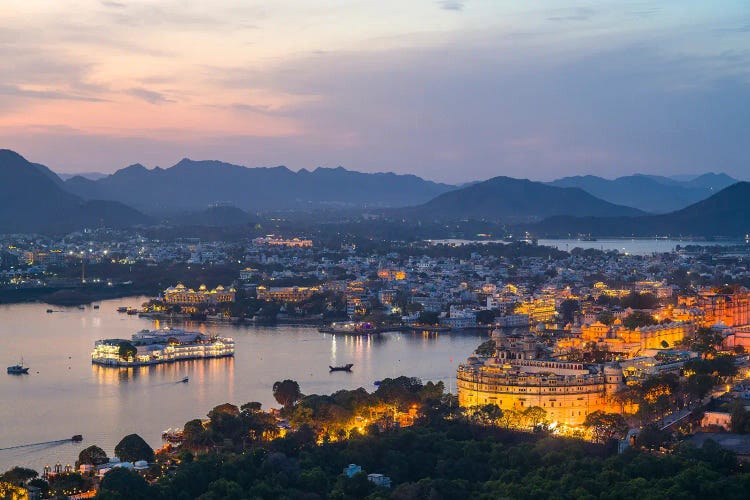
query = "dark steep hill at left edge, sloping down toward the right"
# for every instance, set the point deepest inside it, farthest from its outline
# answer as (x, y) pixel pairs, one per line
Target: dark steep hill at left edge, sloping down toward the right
(32, 200)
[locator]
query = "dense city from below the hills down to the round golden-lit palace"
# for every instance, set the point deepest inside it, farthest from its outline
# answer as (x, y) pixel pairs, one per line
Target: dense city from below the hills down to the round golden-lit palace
(567, 331)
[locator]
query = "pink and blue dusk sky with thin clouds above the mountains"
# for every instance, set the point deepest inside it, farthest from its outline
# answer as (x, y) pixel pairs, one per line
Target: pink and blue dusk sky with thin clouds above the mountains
(449, 90)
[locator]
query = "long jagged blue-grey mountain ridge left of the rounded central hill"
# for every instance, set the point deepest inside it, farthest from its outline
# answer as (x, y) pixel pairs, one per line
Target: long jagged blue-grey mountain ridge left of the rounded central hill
(192, 185)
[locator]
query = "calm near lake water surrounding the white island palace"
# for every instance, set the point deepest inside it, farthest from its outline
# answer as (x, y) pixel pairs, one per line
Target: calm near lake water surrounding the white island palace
(65, 394)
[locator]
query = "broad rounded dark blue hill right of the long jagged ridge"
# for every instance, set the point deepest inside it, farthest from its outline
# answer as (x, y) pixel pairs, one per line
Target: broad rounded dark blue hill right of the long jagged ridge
(508, 199)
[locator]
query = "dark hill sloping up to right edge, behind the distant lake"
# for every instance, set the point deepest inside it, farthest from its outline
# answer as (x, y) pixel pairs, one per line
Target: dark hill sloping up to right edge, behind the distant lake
(727, 213)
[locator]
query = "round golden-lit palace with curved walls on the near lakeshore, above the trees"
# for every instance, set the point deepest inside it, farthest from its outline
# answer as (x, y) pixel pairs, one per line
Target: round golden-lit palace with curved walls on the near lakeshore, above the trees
(517, 377)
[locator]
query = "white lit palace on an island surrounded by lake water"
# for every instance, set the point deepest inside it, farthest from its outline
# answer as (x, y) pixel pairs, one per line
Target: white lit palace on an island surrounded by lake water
(162, 346)
